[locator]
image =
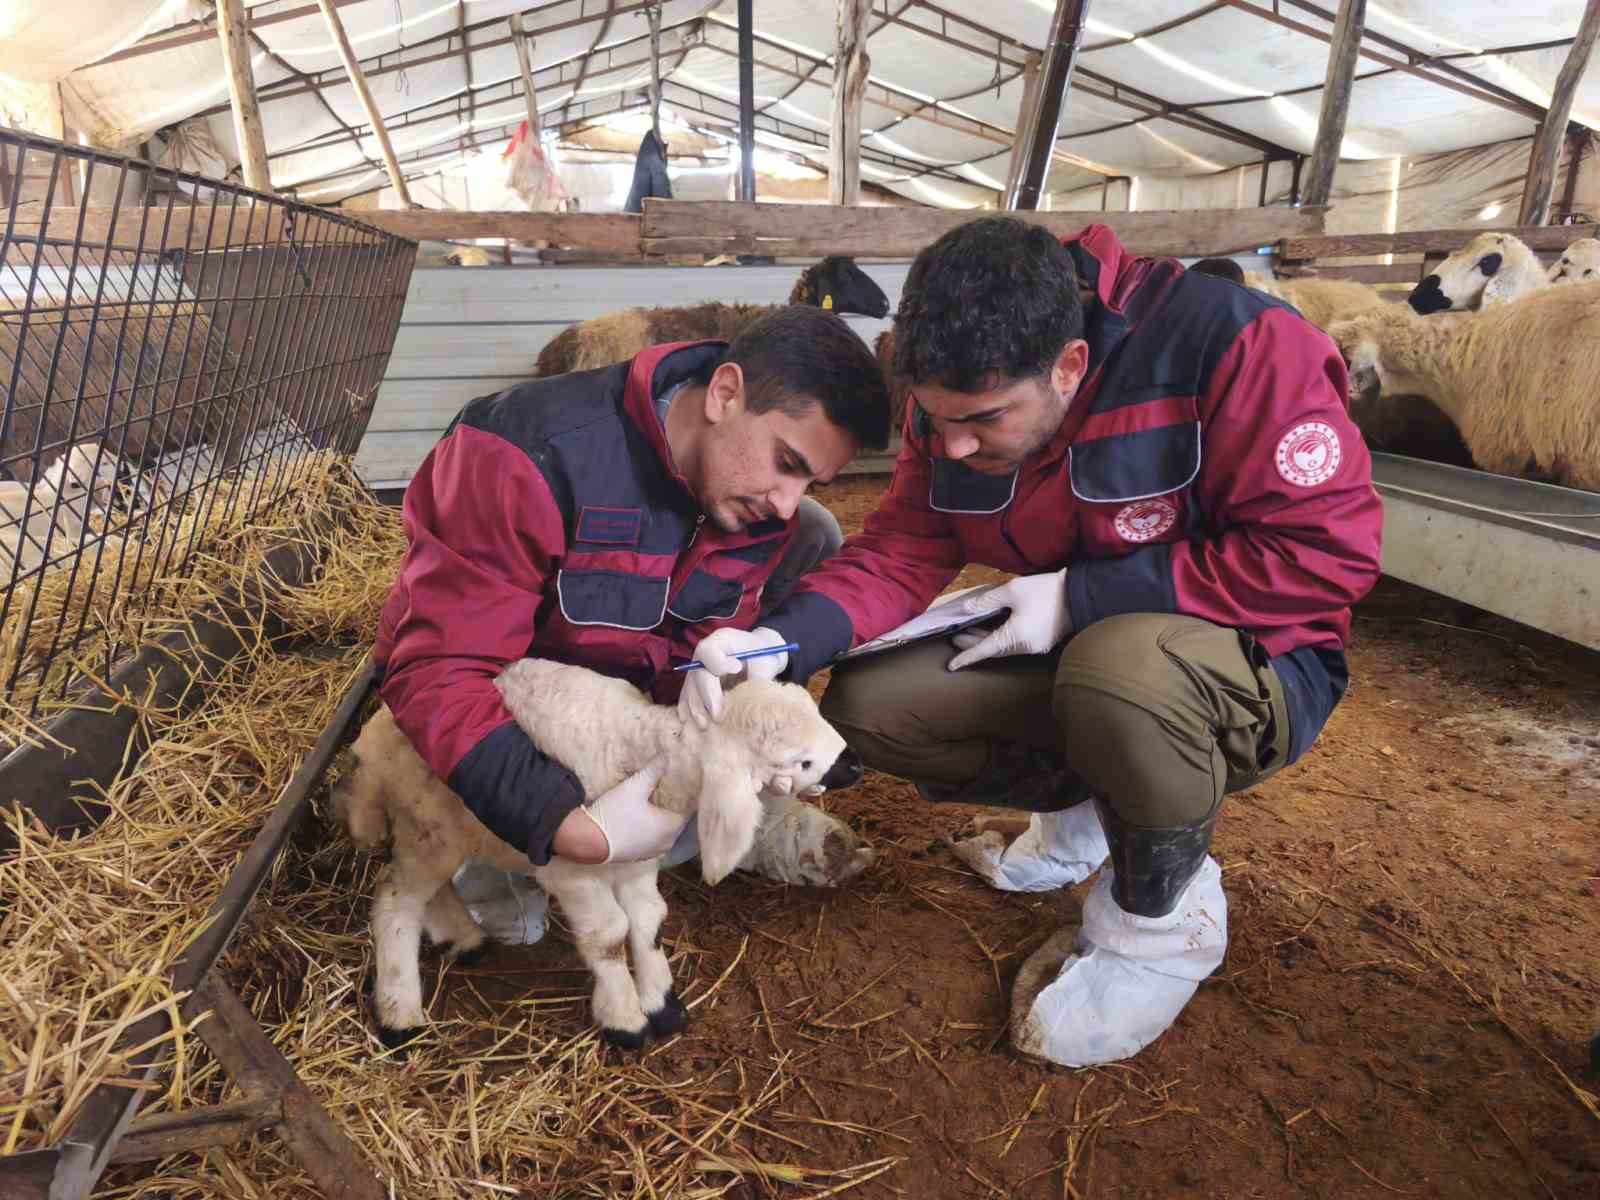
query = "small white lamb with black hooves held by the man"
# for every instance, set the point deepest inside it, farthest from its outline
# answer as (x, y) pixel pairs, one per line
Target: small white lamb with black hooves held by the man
(770, 738)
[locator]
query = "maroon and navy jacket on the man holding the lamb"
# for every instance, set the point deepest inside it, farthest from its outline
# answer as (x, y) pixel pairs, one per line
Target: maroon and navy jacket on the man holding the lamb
(551, 522)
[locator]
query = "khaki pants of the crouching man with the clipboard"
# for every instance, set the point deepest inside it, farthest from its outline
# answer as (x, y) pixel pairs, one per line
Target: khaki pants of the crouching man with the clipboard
(1156, 714)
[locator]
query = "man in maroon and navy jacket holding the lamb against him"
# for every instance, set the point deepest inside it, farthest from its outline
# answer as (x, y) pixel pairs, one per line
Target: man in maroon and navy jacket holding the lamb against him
(612, 519)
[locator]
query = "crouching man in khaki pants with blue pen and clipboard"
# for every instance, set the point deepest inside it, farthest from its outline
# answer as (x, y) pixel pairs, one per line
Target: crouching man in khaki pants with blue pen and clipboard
(1167, 468)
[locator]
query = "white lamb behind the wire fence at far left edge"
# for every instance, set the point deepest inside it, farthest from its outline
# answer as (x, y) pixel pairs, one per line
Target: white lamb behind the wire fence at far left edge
(82, 479)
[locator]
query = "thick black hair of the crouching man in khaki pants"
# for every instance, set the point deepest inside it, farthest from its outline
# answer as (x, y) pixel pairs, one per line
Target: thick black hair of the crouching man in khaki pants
(990, 303)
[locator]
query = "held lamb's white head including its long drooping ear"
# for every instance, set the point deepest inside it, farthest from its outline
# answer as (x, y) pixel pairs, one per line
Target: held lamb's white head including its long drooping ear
(770, 738)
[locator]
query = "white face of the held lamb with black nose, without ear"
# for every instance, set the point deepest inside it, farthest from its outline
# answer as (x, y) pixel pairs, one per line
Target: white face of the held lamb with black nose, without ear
(796, 751)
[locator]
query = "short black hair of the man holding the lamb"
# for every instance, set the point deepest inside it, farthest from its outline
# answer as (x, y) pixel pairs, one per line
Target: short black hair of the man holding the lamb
(802, 356)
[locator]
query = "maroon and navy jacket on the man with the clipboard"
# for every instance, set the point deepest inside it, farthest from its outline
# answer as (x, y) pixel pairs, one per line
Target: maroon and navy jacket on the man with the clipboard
(1207, 466)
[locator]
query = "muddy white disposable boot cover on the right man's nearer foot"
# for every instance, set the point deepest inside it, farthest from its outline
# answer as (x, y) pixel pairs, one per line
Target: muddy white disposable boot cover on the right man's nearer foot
(1124, 980)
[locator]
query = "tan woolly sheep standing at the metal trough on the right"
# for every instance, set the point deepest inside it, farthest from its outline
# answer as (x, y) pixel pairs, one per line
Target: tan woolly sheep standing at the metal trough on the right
(1518, 380)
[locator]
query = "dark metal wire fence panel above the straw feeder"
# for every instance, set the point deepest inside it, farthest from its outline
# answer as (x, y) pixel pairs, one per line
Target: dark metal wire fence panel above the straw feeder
(175, 353)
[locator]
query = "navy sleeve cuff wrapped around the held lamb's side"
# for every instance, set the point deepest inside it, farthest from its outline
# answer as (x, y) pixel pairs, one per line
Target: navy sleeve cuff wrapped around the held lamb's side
(519, 794)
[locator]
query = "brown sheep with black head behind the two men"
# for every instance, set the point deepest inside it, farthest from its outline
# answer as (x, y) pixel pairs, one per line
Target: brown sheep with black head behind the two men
(834, 284)
